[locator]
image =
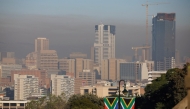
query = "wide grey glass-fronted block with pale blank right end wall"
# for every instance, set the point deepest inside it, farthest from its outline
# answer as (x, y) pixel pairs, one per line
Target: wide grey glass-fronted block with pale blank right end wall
(134, 71)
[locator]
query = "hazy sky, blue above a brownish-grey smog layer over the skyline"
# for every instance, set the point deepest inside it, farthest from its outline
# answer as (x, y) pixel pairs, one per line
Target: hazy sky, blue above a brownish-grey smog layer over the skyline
(69, 24)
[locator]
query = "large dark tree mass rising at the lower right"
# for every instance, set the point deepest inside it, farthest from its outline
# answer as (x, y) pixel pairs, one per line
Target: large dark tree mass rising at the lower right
(164, 92)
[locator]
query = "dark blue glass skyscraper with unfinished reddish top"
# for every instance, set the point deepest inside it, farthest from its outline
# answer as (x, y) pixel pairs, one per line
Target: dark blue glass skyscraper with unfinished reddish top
(163, 41)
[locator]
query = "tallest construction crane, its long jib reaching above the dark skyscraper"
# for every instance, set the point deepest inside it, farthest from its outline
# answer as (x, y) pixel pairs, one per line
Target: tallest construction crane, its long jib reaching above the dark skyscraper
(147, 4)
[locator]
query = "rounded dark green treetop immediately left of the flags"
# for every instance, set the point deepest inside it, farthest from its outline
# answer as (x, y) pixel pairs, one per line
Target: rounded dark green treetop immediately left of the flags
(87, 101)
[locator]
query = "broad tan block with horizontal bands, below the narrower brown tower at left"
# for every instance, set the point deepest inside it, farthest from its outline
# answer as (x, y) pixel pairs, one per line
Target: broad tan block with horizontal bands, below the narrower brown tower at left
(48, 60)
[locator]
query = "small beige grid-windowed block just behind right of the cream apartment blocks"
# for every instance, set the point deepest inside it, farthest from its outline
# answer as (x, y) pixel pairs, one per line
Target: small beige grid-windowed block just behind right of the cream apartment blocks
(88, 76)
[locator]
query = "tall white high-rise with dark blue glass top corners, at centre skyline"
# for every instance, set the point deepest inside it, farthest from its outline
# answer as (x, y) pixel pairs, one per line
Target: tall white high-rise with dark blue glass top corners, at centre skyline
(104, 46)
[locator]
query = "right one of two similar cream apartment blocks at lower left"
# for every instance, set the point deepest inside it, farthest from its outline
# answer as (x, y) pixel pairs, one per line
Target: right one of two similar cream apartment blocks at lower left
(62, 84)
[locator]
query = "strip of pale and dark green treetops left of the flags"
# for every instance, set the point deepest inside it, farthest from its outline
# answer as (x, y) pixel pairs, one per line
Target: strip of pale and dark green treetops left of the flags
(87, 101)
